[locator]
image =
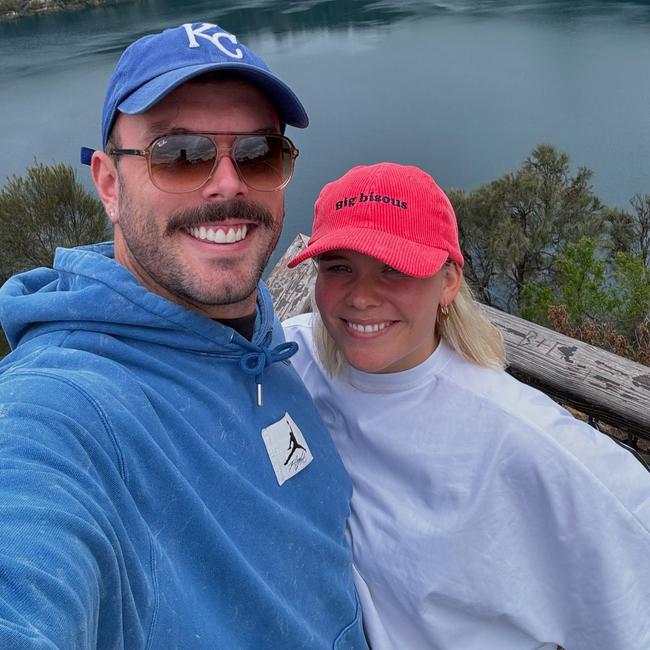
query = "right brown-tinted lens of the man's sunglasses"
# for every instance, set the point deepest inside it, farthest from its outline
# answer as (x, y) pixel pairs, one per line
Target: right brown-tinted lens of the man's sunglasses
(264, 162)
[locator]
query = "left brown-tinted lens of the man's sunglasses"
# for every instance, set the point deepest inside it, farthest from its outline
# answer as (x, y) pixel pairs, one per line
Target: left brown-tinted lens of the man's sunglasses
(182, 163)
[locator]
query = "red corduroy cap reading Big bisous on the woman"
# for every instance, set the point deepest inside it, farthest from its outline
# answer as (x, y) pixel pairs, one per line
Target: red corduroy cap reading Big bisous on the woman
(394, 213)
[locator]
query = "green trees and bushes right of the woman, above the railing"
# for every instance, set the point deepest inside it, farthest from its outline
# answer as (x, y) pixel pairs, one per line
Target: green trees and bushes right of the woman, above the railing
(538, 242)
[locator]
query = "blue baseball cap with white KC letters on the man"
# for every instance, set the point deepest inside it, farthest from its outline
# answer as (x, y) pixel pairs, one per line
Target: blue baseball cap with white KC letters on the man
(154, 65)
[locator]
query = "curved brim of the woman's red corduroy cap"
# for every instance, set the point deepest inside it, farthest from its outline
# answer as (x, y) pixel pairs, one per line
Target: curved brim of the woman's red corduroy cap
(409, 257)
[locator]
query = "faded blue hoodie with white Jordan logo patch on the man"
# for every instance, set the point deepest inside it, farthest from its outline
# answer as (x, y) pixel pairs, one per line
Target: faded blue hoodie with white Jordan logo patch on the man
(139, 504)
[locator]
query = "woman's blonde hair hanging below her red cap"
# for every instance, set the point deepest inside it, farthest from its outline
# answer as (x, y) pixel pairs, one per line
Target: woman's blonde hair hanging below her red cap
(466, 329)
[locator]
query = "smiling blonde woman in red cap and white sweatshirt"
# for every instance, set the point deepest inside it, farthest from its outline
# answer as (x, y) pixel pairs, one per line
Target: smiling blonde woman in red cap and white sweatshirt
(484, 516)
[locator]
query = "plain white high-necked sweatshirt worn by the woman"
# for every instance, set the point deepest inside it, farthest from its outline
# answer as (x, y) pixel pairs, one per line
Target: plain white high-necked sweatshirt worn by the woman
(484, 516)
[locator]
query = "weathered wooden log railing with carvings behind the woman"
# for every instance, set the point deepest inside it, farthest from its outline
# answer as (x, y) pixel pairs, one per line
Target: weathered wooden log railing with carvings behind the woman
(609, 388)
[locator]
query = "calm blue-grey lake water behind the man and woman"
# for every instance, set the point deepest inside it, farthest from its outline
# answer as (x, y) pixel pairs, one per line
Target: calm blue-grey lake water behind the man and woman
(464, 89)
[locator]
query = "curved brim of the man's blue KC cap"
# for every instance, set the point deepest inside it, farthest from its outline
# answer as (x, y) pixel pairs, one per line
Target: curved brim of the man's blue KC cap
(290, 109)
